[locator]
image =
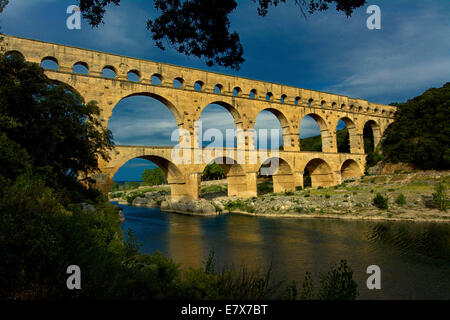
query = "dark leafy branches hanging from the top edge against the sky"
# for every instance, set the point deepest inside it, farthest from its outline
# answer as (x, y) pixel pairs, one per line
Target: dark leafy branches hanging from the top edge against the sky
(201, 27)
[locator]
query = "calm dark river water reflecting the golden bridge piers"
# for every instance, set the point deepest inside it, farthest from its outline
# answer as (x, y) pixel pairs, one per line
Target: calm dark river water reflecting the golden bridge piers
(414, 257)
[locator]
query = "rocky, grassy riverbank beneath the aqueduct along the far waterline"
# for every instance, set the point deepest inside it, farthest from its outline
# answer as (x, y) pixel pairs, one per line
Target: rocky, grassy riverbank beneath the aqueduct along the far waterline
(409, 198)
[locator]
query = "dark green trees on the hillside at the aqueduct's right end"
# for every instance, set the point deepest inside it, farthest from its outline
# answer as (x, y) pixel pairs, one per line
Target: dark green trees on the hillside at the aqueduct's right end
(420, 133)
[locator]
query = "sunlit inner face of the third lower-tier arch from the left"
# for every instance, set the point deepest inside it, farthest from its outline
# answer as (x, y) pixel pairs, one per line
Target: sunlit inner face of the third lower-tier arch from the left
(281, 172)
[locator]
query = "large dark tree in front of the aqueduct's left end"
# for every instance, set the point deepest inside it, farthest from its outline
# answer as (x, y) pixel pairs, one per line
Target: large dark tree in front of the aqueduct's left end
(51, 123)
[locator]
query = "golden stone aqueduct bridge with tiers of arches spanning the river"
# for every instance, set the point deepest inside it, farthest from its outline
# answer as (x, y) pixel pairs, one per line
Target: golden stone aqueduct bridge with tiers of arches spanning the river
(243, 98)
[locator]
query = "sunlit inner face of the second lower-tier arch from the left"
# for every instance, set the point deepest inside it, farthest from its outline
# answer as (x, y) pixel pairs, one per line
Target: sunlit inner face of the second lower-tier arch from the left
(235, 175)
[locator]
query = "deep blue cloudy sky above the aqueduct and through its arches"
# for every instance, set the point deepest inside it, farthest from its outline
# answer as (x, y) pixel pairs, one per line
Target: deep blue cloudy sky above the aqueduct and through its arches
(326, 51)
